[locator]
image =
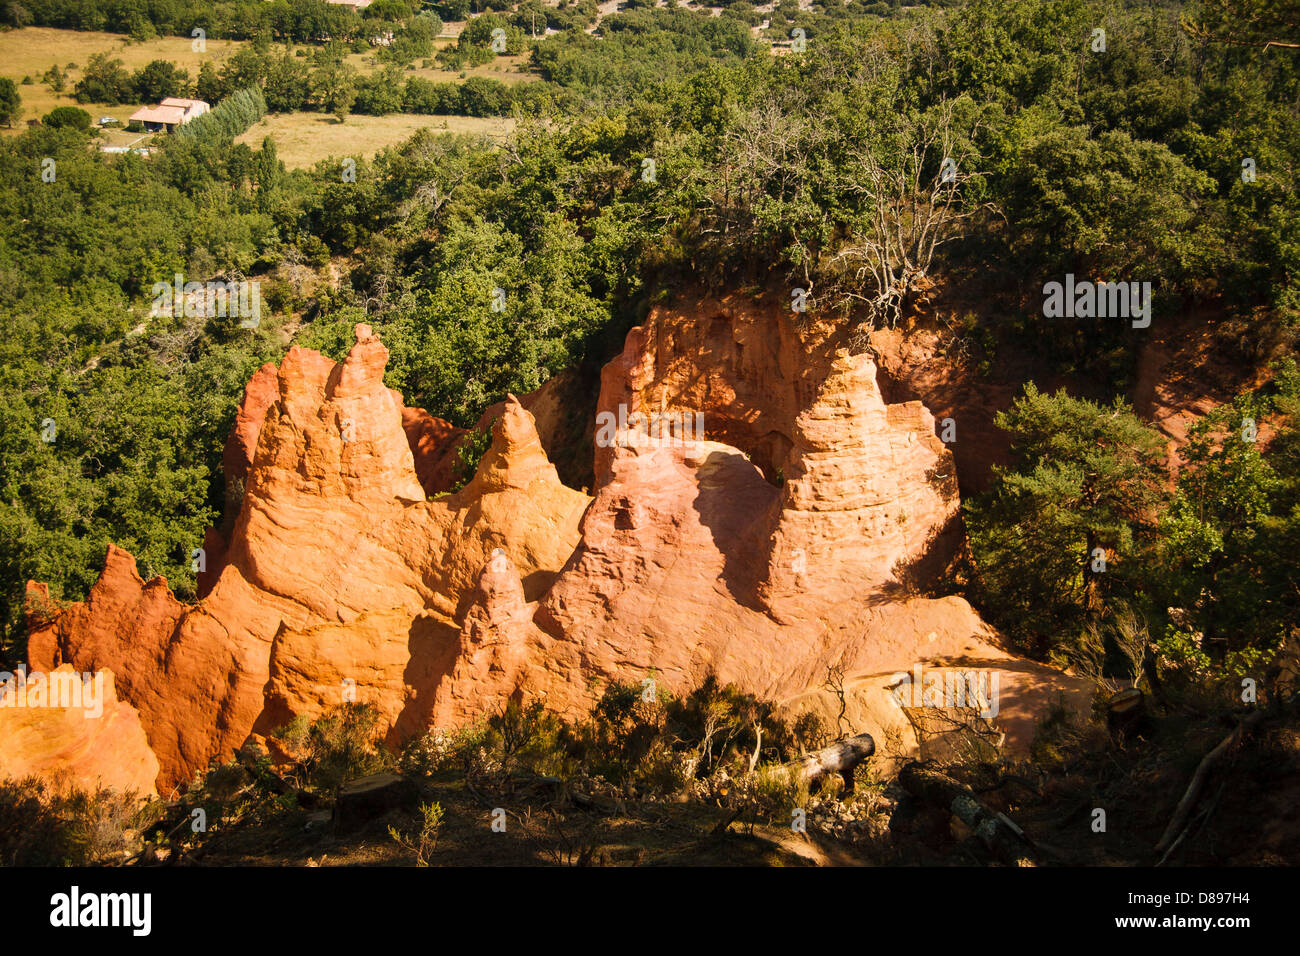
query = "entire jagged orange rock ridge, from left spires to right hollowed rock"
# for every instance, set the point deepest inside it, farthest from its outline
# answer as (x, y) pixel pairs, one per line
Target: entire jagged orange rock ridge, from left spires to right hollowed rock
(777, 547)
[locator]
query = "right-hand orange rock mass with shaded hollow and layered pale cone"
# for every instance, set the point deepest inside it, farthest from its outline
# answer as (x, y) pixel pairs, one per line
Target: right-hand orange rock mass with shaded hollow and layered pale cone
(692, 563)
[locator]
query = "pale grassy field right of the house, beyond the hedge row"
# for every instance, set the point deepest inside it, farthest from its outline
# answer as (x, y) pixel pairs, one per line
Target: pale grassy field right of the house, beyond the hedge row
(307, 139)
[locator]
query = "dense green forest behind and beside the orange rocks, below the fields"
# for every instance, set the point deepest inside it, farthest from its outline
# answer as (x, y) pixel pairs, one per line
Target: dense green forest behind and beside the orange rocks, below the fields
(677, 153)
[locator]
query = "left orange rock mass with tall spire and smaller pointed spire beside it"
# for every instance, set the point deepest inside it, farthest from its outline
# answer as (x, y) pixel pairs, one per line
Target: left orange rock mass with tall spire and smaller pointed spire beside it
(333, 524)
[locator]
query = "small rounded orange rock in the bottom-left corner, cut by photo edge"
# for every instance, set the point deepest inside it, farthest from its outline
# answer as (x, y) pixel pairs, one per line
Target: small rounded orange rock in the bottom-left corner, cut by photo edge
(96, 741)
